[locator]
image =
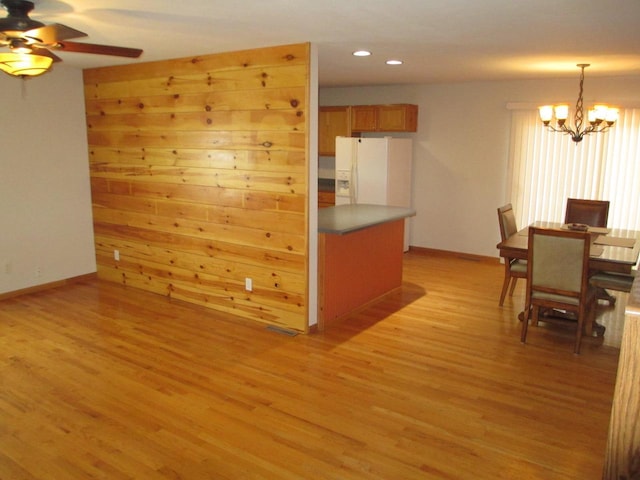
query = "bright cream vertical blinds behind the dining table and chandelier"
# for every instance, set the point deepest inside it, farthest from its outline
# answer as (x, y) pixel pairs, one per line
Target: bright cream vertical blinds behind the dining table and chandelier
(547, 167)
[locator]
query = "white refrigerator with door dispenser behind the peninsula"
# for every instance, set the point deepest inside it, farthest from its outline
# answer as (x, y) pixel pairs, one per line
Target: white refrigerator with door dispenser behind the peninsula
(375, 171)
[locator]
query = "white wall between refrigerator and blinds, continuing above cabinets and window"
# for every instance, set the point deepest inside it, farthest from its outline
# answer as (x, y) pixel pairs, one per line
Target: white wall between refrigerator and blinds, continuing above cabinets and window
(461, 148)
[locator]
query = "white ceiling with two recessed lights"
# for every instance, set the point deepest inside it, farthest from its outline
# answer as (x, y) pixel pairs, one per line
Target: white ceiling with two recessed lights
(438, 40)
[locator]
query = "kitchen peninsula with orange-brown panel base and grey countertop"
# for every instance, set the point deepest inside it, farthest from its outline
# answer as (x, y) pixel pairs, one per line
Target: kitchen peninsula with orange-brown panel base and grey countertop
(360, 250)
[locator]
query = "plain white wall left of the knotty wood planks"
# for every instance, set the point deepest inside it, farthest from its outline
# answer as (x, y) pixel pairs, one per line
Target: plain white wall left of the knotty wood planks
(45, 197)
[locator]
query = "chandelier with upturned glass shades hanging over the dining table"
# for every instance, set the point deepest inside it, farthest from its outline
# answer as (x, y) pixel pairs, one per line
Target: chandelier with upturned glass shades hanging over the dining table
(600, 117)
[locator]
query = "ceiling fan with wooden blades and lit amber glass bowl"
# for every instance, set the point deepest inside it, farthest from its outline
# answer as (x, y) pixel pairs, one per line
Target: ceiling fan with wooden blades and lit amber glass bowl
(31, 43)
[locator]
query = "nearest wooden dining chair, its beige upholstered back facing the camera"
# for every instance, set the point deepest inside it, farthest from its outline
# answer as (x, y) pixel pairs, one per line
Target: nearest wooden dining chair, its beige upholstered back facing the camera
(558, 277)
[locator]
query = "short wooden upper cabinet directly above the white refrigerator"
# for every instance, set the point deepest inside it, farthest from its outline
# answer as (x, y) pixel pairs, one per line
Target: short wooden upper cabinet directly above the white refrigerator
(384, 118)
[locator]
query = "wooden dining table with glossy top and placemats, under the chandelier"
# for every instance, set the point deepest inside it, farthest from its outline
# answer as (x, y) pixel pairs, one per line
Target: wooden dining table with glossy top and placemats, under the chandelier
(612, 250)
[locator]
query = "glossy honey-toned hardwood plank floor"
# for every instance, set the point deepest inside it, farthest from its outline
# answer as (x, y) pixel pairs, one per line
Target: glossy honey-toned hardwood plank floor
(101, 381)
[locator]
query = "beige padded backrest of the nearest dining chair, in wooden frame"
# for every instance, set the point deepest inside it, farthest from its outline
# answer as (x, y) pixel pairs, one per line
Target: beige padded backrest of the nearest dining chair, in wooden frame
(558, 261)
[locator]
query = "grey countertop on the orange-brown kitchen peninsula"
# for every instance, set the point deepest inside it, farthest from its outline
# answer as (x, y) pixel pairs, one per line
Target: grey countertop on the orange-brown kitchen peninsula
(343, 219)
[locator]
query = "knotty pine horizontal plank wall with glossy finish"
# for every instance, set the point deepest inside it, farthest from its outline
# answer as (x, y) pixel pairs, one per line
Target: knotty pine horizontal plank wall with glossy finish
(199, 171)
